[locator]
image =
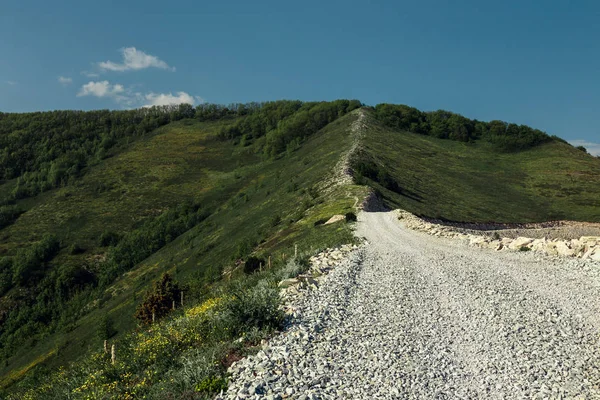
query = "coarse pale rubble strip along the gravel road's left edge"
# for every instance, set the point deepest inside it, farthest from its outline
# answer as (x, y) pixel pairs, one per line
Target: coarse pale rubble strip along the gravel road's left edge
(275, 370)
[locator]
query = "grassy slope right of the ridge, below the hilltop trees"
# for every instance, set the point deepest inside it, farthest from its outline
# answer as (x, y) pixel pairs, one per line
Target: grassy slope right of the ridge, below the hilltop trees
(475, 182)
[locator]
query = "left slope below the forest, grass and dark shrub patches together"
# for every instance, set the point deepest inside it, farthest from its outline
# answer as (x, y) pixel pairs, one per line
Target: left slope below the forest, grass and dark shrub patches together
(181, 200)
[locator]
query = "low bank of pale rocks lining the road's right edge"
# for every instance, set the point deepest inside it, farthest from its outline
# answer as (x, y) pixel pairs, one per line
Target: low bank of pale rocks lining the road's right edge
(585, 247)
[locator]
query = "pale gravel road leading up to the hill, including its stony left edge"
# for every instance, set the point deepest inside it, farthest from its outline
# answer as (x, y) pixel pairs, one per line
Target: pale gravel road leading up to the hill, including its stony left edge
(414, 316)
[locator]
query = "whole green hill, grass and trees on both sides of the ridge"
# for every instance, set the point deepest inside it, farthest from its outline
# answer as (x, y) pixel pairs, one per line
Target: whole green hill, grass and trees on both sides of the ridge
(96, 206)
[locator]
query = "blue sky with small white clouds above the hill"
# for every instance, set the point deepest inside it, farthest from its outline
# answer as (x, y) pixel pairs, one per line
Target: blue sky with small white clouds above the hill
(529, 62)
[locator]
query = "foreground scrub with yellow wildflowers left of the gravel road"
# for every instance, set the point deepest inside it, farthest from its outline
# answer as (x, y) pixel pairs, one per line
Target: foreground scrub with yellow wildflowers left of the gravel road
(183, 356)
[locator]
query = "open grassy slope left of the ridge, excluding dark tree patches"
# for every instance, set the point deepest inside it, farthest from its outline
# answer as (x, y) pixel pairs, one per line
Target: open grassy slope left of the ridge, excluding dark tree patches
(252, 204)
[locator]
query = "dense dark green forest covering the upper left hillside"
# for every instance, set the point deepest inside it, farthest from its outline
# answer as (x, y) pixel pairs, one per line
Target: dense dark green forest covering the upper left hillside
(48, 149)
